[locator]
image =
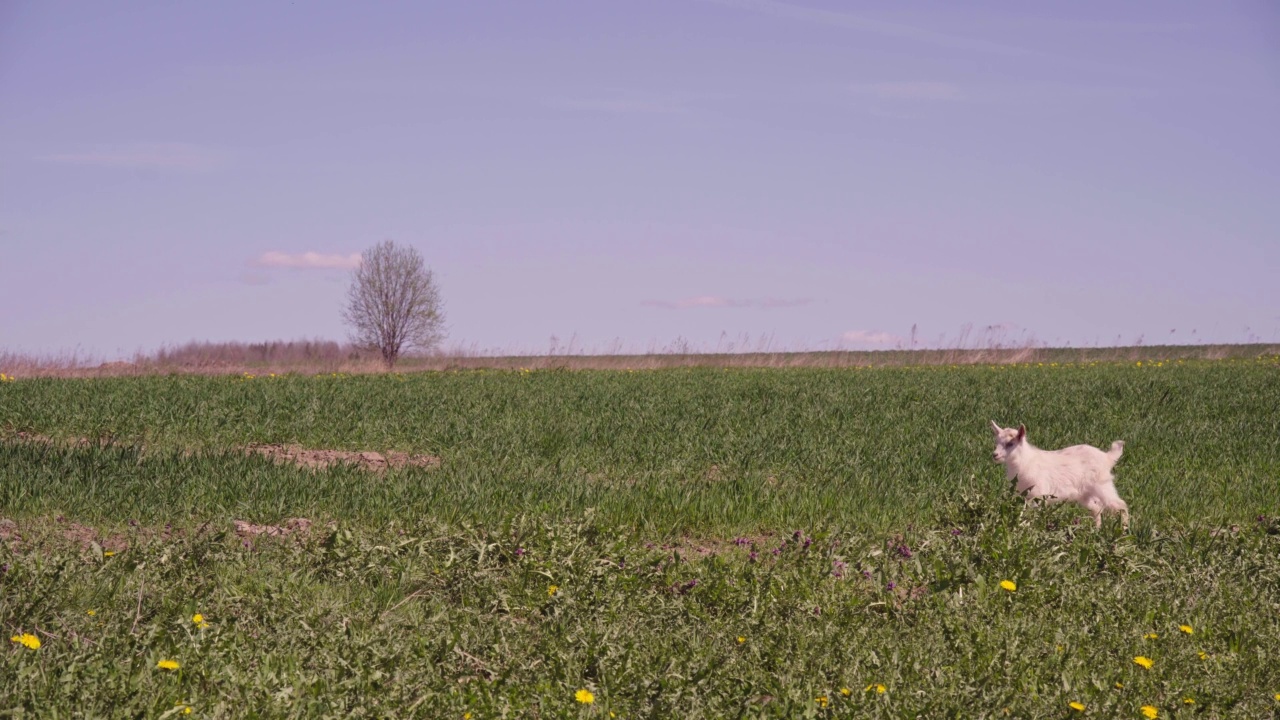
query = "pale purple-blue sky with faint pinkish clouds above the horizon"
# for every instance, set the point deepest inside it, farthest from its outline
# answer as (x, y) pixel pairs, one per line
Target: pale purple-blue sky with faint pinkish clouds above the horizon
(629, 175)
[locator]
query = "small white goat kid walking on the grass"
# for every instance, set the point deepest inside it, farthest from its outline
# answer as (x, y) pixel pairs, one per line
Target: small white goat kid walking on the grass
(1078, 475)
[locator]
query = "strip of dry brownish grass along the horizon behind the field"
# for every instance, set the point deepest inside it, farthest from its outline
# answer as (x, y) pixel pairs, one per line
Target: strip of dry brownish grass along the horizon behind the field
(310, 358)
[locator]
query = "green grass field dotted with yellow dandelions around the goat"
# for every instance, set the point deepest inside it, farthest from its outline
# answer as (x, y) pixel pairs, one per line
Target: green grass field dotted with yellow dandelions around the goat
(743, 543)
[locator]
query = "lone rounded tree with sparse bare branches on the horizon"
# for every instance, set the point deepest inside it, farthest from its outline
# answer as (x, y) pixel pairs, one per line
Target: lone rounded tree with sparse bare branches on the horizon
(394, 303)
